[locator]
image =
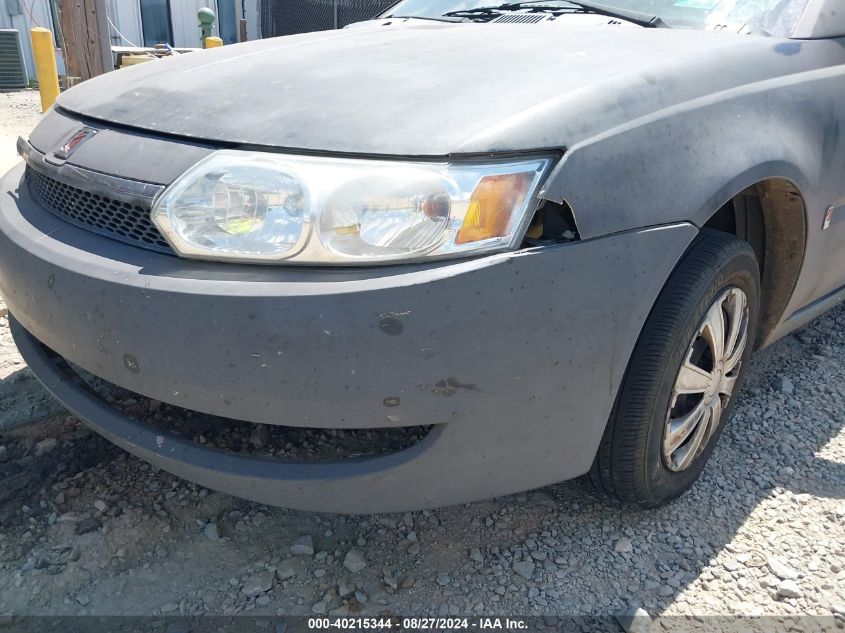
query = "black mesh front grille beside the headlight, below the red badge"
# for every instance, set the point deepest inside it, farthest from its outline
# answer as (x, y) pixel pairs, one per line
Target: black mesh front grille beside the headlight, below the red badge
(118, 219)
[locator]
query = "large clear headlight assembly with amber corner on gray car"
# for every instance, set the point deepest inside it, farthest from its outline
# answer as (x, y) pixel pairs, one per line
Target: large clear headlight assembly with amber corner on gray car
(263, 207)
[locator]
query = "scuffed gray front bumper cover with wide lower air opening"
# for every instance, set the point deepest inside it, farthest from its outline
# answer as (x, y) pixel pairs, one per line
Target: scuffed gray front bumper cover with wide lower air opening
(516, 358)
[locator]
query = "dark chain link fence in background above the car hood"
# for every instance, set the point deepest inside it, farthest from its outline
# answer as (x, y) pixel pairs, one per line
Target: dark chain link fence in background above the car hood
(286, 17)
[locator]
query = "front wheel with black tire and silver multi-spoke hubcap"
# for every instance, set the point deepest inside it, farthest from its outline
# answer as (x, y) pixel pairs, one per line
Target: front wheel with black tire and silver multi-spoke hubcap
(636, 462)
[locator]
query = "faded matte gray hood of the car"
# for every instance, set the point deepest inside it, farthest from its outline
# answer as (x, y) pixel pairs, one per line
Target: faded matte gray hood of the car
(431, 90)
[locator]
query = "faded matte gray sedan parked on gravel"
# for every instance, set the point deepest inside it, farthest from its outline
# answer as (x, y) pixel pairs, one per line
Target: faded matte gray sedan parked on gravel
(516, 243)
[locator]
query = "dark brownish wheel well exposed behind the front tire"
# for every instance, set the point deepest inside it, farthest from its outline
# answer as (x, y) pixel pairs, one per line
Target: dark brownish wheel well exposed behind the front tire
(771, 216)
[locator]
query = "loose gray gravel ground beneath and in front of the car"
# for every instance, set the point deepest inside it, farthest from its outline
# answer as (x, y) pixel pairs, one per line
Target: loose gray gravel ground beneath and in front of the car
(88, 529)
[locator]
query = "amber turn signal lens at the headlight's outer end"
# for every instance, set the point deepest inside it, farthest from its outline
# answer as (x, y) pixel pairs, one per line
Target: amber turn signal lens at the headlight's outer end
(492, 204)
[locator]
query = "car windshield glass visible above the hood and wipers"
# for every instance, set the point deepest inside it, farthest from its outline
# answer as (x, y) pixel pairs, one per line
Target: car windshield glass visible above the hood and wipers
(776, 17)
